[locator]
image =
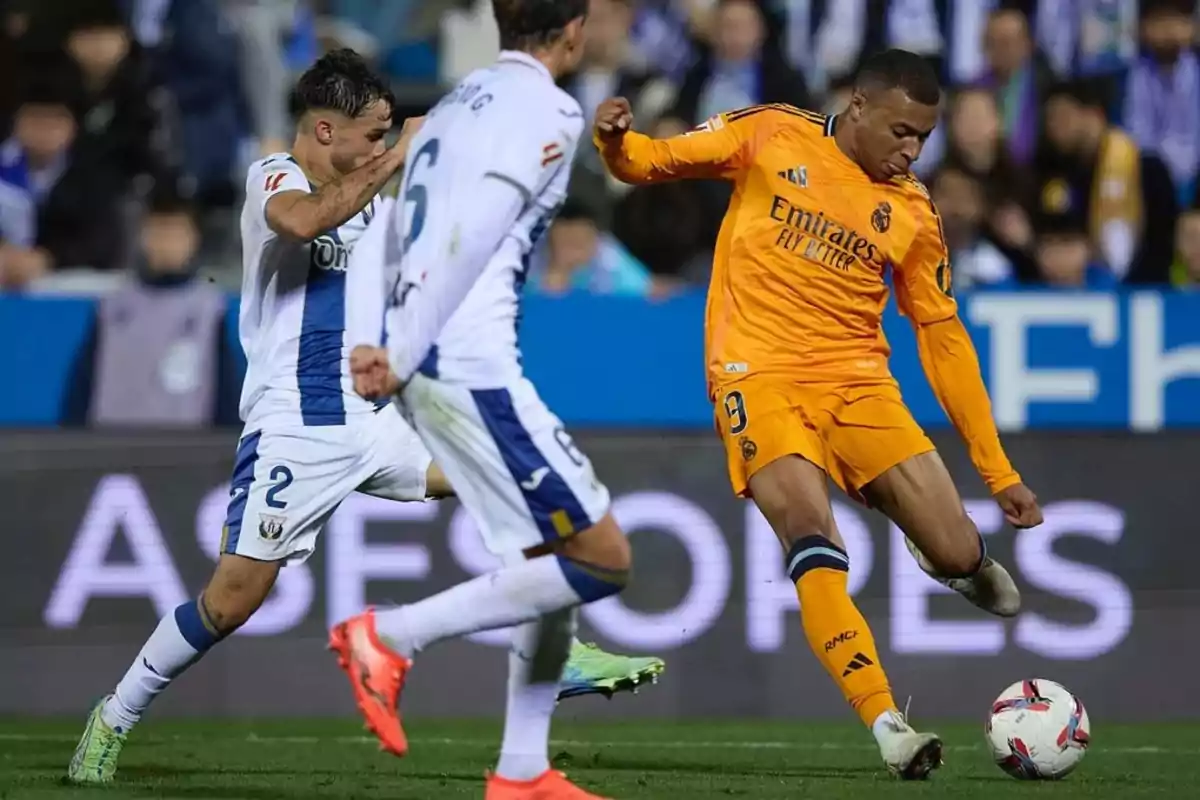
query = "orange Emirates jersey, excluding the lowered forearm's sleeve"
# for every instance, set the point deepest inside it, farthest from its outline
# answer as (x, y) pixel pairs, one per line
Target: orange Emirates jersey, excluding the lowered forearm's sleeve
(799, 276)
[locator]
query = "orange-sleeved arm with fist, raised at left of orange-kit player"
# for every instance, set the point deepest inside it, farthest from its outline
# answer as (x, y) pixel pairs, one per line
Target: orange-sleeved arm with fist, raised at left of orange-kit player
(715, 151)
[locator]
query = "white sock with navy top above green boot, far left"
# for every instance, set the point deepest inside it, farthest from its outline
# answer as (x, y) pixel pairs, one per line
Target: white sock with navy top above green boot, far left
(179, 641)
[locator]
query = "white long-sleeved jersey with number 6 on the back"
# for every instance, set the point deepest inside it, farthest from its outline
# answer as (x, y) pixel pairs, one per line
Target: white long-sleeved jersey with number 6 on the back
(505, 134)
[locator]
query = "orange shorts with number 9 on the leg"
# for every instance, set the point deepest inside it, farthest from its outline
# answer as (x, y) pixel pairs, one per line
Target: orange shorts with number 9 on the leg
(854, 432)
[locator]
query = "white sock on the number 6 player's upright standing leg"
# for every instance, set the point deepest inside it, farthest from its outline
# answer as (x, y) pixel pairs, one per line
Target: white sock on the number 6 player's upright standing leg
(525, 754)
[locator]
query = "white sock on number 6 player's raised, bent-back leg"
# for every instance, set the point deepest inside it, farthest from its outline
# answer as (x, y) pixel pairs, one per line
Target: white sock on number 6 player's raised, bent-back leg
(512, 596)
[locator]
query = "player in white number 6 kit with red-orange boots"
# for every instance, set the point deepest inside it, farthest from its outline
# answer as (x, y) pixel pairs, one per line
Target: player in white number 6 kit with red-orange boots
(484, 179)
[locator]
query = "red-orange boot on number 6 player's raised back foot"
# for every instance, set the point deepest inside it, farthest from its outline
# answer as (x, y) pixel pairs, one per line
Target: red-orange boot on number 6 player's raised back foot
(377, 677)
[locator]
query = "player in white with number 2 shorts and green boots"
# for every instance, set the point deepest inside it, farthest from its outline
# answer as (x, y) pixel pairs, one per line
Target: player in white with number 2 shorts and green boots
(309, 440)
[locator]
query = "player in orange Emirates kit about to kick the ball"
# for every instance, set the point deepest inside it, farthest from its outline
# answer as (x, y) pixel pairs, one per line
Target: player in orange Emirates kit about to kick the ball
(823, 209)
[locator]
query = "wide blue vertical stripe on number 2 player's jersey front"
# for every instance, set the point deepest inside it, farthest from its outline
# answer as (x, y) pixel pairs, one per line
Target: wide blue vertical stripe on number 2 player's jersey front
(322, 339)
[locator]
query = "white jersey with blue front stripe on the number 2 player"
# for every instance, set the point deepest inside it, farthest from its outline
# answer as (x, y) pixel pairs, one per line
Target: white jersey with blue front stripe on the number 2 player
(293, 310)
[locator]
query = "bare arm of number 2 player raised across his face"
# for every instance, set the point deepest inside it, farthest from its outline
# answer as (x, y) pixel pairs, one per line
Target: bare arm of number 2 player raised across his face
(307, 215)
